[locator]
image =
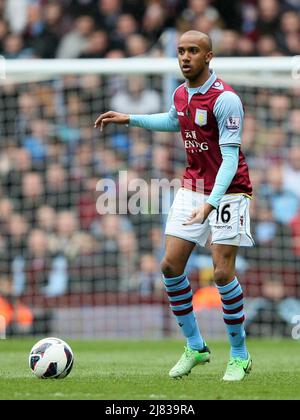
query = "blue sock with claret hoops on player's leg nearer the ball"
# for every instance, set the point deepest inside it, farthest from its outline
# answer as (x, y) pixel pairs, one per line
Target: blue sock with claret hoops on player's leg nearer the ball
(180, 297)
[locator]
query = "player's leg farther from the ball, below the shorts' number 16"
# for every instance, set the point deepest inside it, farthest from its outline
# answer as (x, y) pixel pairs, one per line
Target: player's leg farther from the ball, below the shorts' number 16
(231, 293)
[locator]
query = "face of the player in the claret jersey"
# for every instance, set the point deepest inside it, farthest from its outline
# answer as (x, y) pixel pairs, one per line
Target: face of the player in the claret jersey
(193, 59)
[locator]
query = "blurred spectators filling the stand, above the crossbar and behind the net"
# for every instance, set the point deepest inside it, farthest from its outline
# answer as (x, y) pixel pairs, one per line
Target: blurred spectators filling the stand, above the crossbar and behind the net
(52, 239)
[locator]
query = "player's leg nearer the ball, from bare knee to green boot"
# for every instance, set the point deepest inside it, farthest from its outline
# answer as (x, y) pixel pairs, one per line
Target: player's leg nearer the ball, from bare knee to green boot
(180, 296)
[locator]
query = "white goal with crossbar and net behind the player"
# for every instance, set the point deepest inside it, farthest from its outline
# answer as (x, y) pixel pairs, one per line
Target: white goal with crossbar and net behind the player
(65, 268)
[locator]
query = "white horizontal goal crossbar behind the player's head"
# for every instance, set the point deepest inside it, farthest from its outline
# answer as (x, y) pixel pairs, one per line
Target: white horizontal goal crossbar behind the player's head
(160, 66)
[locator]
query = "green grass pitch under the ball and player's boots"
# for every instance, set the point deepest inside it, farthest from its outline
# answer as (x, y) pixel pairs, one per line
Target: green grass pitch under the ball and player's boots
(138, 370)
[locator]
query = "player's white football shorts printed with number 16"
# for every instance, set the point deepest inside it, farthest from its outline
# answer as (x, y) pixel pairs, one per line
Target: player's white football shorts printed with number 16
(230, 225)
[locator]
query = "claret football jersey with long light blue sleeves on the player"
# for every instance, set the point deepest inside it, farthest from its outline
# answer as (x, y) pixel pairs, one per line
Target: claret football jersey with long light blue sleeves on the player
(210, 119)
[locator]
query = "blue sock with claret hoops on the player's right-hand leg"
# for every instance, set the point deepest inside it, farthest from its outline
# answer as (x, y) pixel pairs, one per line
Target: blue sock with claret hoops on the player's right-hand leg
(233, 313)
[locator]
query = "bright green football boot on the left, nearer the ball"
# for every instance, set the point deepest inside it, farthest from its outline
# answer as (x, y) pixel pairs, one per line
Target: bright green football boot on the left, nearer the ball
(188, 360)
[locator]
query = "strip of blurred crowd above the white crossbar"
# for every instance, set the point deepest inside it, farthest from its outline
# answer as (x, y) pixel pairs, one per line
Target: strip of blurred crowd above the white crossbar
(126, 28)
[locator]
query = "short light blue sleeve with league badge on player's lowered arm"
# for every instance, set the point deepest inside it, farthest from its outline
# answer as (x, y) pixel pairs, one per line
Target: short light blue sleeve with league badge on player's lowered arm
(229, 114)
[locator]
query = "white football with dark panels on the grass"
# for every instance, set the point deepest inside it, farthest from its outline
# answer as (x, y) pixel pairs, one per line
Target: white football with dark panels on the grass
(51, 358)
